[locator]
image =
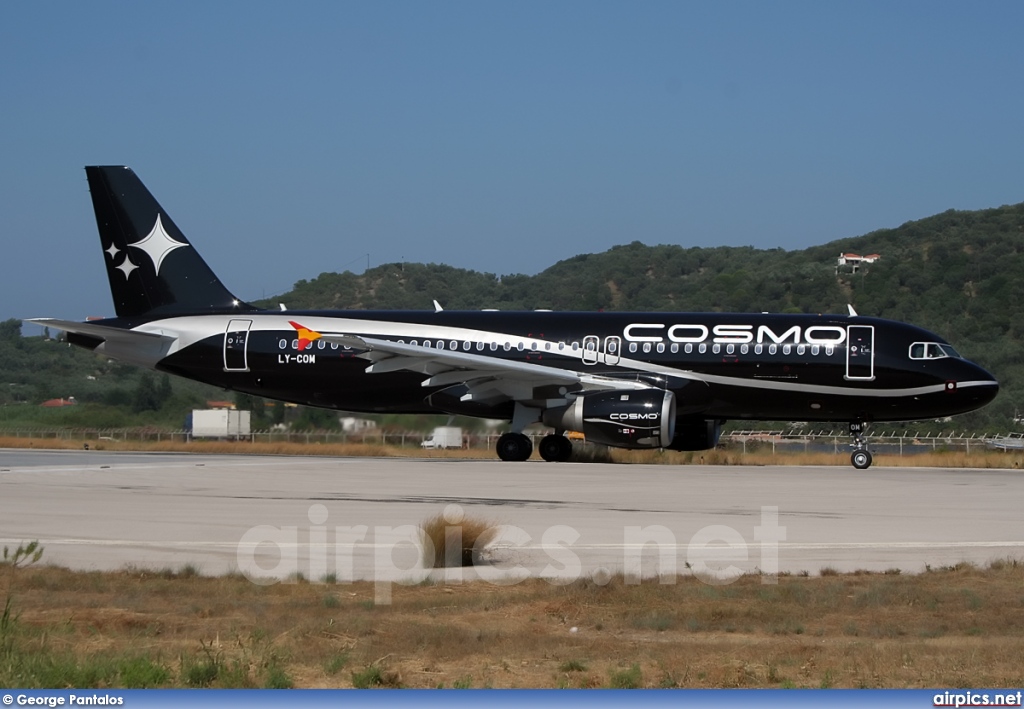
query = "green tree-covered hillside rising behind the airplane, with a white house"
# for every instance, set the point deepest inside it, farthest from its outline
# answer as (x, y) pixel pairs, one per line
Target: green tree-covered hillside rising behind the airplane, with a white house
(960, 274)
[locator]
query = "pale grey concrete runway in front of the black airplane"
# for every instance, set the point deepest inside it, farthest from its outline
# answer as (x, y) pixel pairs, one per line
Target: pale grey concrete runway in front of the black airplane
(351, 519)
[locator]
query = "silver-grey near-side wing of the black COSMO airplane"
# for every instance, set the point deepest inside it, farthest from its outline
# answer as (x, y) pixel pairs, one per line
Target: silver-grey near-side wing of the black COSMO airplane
(487, 380)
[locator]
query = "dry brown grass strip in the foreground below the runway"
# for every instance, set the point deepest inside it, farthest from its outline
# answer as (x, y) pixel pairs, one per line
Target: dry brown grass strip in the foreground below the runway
(955, 628)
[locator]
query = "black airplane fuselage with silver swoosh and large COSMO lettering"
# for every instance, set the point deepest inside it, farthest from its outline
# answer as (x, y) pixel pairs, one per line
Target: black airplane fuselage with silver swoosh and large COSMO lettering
(724, 366)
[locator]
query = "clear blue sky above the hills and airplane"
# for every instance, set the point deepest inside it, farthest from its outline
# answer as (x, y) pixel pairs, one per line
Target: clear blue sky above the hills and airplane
(291, 140)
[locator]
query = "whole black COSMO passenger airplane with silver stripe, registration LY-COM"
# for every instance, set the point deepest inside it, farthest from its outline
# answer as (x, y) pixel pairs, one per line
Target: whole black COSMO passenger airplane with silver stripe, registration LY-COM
(635, 381)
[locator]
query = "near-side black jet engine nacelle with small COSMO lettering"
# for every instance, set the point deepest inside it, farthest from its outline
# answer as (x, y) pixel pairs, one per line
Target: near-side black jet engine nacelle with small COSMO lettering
(644, 419)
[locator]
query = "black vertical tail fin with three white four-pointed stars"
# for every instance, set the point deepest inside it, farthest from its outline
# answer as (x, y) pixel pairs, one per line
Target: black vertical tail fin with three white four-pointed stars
(152, 267)
